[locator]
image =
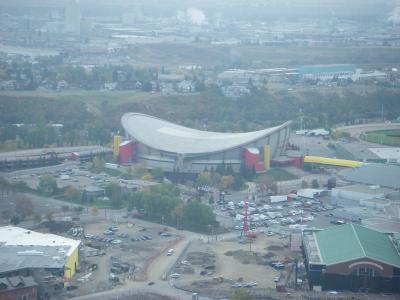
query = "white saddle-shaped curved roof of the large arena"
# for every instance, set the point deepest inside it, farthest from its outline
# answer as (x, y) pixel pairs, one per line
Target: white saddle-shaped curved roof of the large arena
(170, 137)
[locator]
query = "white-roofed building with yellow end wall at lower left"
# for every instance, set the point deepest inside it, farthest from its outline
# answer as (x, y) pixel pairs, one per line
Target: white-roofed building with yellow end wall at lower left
(29, 253)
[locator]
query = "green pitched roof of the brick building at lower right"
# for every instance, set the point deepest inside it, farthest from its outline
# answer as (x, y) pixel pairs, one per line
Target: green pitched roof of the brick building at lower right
(356, 242)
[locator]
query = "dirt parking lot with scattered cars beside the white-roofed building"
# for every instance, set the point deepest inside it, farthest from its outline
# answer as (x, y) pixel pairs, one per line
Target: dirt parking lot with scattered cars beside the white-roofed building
(114, 254)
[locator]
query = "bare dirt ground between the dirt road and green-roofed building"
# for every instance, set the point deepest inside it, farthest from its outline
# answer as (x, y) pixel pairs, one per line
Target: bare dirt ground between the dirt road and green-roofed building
(213, 268)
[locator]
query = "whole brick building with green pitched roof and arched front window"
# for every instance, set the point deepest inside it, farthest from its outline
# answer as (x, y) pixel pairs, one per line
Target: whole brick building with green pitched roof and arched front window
(352, 257)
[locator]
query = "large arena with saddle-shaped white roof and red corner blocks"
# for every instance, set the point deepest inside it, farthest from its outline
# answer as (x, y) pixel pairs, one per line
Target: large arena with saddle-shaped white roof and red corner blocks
(159, 143)
